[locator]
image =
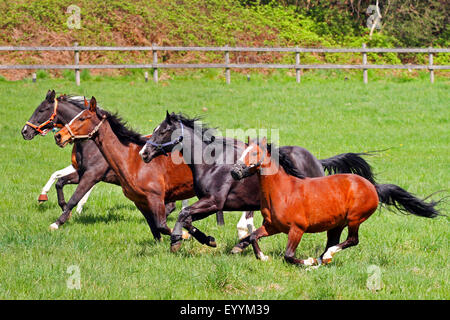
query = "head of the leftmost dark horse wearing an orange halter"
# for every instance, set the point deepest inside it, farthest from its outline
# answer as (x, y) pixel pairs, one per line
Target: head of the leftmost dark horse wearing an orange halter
(43, 118)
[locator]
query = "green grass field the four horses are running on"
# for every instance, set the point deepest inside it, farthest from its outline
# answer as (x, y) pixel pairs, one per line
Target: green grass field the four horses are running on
(112, 246)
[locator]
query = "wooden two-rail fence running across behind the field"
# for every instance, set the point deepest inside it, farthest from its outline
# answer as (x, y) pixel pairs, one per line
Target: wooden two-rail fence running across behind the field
(227, 65)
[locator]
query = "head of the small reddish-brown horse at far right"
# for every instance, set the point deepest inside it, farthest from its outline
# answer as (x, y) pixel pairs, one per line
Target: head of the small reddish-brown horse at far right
(254, 157)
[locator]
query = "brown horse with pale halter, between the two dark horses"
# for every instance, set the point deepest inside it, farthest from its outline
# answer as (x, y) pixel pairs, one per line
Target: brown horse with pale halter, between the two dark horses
(149, 186)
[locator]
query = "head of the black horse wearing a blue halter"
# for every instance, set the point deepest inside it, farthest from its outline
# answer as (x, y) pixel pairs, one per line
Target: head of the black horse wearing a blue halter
(164, 138)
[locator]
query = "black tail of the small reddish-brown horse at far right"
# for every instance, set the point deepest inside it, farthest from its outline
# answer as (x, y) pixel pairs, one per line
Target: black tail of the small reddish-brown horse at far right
(405, 202)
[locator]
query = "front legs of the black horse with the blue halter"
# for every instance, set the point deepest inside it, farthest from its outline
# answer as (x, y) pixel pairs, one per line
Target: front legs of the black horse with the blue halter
(199, 210)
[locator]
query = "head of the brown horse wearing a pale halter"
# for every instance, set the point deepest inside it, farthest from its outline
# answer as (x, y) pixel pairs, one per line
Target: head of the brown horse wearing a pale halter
(83, 126)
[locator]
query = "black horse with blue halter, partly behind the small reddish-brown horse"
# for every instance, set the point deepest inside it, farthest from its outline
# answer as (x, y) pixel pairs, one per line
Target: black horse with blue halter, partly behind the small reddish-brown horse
(213, 184)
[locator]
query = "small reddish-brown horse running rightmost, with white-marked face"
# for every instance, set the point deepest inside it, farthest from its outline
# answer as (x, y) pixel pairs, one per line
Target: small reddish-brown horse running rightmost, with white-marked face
(296, 206)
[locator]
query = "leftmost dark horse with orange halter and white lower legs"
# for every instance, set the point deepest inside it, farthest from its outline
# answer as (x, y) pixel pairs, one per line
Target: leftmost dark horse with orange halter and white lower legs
(88, 164)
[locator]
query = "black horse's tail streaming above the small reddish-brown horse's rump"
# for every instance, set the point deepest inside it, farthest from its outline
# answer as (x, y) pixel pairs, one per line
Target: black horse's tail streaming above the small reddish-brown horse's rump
(349, 163)
